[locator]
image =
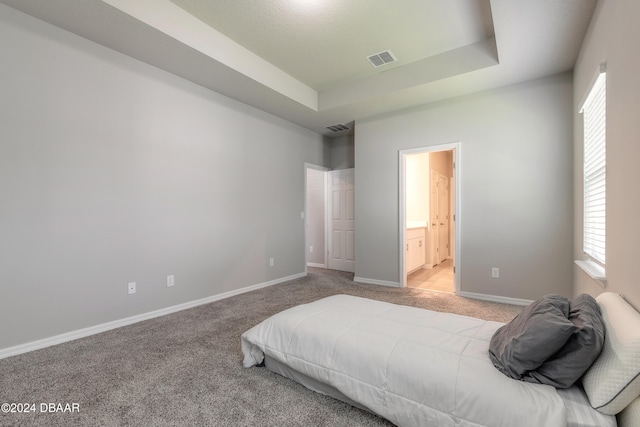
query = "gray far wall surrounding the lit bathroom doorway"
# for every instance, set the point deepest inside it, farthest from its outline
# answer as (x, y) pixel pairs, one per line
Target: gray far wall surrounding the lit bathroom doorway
(516, 186)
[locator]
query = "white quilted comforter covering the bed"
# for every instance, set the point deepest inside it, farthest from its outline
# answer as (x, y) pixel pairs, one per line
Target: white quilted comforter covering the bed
(409, 365)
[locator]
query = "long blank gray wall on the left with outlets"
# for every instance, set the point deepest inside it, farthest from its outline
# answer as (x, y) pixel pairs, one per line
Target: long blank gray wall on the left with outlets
(113, 171)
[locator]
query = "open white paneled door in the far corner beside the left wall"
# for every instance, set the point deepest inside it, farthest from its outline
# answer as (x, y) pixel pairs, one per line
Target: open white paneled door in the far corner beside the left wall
(341, 220)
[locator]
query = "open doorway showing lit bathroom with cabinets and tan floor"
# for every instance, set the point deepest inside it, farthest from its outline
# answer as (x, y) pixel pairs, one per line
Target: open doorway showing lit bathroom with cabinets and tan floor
(429, 224)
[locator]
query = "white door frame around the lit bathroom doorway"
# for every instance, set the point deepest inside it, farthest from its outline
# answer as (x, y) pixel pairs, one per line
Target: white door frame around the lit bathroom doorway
(402, 193)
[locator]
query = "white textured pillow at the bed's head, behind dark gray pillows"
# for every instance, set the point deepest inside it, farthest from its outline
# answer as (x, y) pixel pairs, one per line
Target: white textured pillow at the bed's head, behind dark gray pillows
(613, 381)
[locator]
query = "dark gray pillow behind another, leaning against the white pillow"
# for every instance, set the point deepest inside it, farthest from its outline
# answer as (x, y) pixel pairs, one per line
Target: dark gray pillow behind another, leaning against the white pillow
(566, 367)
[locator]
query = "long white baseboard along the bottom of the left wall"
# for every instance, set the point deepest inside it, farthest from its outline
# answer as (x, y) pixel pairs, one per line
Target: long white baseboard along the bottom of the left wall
(92, 330)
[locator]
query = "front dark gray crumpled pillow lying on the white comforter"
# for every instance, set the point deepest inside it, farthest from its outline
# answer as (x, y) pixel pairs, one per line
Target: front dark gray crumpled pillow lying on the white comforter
(533, 336)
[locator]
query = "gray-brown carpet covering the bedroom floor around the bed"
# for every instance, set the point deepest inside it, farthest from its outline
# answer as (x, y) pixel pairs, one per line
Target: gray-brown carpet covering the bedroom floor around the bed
(186, 368)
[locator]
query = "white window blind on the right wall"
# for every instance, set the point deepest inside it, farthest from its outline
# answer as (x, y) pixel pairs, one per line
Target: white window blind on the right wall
(595, 170)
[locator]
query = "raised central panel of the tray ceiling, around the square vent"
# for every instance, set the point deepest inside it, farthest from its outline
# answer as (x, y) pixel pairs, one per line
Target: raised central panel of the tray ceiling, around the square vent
(324, 43)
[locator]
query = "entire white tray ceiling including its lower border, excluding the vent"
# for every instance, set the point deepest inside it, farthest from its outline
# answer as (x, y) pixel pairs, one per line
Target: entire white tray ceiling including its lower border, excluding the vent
(306, 60)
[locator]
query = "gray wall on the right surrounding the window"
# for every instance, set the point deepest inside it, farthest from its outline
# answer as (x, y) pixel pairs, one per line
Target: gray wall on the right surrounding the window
(612, 38)
